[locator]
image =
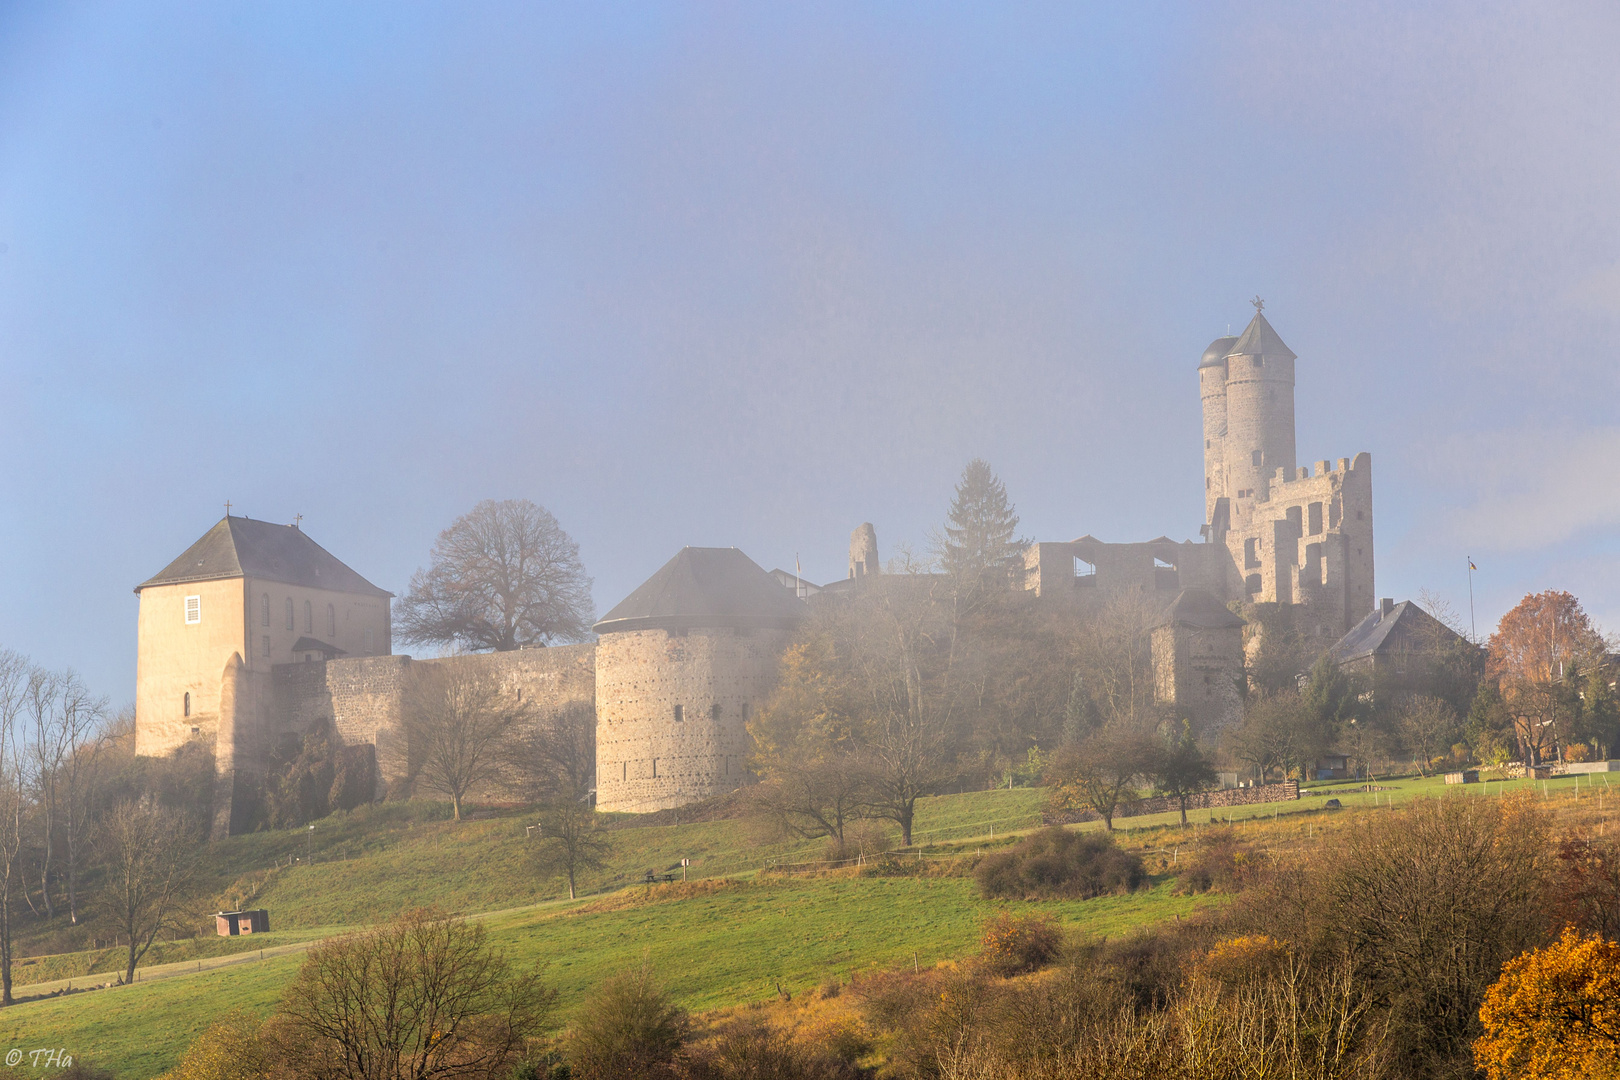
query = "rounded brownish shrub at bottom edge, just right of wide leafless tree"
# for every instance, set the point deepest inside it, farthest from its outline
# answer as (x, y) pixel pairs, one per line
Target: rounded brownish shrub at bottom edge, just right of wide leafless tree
(628, 1029)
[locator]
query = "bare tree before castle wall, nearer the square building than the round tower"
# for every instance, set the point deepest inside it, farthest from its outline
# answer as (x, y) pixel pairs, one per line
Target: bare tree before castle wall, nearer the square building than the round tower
(459, 721)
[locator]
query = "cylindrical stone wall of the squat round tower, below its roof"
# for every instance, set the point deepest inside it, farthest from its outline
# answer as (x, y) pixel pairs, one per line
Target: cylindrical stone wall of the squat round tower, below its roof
(673, 710)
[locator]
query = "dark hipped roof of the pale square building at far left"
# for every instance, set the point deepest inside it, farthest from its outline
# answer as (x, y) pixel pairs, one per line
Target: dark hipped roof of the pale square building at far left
(260, 550)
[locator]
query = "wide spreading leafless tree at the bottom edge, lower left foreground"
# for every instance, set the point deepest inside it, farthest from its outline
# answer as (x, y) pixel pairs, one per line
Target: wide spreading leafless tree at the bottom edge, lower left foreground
(422, 998)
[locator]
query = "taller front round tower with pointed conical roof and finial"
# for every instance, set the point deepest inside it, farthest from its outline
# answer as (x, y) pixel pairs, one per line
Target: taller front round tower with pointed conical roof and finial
(1260, 412)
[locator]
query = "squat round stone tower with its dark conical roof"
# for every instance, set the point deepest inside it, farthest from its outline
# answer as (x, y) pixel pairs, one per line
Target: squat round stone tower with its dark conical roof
(681, 666)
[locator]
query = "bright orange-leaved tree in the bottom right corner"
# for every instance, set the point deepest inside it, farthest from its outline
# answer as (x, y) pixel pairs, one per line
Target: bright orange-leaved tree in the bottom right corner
(1554, 1014)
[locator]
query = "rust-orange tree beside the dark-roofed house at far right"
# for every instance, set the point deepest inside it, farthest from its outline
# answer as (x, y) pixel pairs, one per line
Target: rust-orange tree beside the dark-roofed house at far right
(1540, 655)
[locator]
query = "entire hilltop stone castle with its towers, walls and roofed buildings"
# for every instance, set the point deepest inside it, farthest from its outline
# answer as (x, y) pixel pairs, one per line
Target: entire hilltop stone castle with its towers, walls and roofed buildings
(257, 631)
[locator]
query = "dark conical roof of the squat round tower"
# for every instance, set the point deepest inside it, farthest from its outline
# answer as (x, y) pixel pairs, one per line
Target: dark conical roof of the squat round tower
(707, 587)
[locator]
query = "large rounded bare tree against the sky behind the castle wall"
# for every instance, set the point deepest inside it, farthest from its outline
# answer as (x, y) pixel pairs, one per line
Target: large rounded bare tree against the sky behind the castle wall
(503, 577)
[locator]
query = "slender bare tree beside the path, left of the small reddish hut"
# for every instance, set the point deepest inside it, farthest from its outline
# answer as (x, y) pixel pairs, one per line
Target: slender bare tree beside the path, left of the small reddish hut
(147, 867)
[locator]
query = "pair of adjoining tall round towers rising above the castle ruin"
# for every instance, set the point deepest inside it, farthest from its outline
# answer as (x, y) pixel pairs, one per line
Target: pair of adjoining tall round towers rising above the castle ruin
(1250, 401)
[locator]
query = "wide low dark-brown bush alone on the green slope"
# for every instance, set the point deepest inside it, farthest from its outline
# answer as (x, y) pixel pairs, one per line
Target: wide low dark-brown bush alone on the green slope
(1055, 864)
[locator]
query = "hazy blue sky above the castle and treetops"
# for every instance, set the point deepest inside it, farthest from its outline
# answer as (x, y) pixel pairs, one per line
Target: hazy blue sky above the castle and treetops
(754, 274)
